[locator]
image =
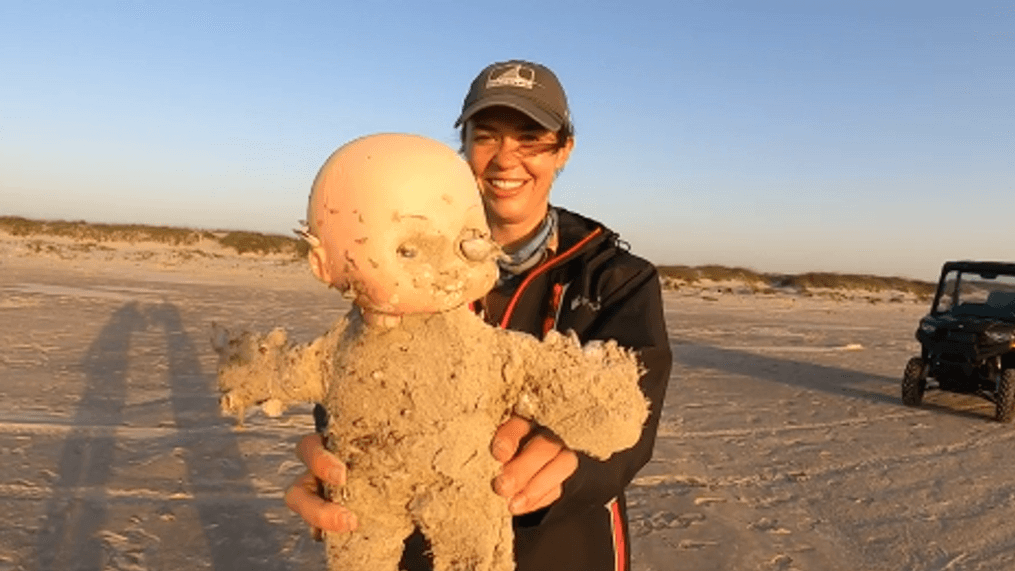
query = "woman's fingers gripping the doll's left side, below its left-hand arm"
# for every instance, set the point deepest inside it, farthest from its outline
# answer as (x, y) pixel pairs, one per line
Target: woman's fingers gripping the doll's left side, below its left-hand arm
(304, 495)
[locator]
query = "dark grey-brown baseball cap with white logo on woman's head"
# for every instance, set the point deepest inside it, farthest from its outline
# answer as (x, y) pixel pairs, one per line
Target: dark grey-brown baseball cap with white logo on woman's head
(526, 87)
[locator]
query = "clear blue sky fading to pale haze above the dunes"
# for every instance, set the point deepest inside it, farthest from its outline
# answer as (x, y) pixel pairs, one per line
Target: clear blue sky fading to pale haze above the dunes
(855, 137)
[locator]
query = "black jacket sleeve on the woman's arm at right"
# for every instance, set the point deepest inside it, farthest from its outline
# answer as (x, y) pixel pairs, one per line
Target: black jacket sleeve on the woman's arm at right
(631, 312)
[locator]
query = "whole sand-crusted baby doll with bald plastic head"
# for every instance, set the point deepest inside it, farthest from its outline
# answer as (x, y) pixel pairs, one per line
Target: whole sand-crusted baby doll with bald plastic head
(415, 383)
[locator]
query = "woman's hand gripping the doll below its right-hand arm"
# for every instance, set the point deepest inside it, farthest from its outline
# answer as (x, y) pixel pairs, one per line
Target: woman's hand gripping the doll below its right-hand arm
(535, 462)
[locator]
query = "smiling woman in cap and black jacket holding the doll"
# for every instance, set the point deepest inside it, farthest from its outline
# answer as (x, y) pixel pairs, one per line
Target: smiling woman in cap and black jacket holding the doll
(567, 272)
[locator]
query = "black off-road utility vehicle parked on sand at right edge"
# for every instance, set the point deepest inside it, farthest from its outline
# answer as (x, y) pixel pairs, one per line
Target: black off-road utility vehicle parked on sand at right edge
(968, 341)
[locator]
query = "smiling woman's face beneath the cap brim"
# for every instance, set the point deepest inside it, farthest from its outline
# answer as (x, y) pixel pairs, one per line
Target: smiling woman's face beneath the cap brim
(515, 161)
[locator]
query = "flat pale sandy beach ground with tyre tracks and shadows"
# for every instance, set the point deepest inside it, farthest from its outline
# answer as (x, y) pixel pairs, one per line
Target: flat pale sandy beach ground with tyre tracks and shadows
(784, 444)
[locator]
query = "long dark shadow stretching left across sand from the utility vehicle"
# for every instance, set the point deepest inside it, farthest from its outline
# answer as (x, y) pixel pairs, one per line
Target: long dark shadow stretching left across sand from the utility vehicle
(813, 377)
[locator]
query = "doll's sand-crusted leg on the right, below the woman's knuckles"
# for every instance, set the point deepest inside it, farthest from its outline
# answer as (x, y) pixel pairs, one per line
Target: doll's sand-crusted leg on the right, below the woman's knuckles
(470, 530)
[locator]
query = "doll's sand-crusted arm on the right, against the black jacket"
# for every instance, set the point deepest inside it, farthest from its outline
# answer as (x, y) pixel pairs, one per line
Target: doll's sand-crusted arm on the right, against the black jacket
(587, 396)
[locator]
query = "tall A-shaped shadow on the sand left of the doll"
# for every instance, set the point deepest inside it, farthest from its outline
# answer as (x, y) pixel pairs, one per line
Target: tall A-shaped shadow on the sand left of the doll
(238, 536)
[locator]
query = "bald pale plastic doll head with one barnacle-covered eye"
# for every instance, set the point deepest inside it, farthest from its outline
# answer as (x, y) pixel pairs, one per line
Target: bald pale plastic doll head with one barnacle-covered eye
(396, 222)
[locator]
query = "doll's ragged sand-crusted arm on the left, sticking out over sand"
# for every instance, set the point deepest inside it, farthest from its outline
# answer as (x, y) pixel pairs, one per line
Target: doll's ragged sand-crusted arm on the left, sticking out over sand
(273, 372)
